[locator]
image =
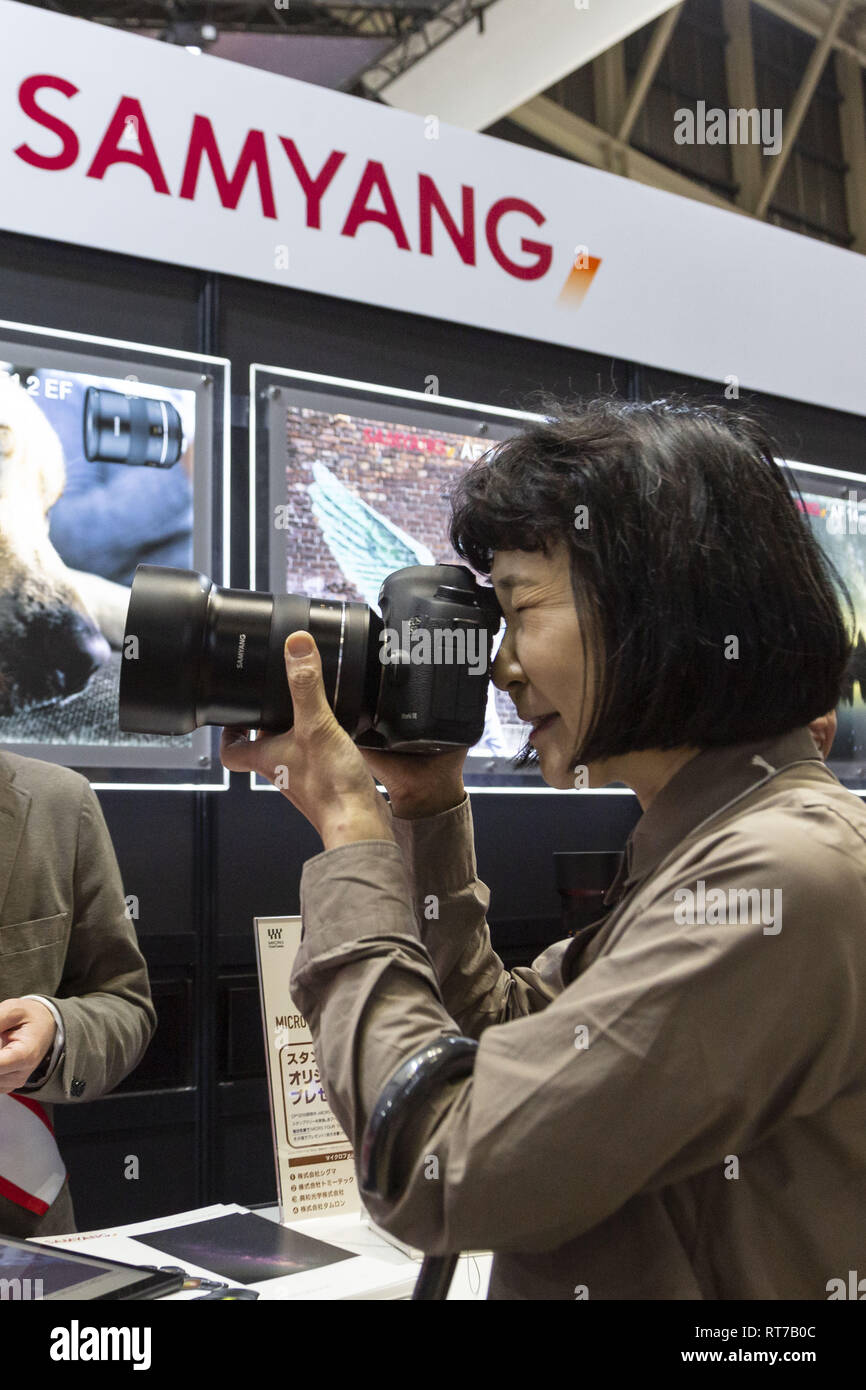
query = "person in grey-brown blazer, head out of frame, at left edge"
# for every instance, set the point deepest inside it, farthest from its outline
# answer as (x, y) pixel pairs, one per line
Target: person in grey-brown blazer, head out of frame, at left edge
(76, 1008)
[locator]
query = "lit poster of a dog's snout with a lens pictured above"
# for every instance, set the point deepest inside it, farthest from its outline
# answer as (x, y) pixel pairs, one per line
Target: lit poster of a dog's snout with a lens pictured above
(74, 525)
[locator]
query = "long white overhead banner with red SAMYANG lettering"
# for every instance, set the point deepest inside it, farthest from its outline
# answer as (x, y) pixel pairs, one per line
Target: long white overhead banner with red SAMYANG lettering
(137, 147)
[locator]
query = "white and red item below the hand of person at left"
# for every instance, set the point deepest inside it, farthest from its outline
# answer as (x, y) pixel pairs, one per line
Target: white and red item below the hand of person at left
(31, 1168)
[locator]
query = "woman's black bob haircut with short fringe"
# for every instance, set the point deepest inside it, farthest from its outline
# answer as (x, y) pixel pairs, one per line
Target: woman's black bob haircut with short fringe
(690, 539)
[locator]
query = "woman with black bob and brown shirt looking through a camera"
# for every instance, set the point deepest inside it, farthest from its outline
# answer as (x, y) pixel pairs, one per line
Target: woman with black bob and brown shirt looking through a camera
(672, 1104)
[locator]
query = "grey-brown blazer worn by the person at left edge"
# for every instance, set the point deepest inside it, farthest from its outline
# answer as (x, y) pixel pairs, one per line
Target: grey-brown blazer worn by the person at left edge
(65, 931)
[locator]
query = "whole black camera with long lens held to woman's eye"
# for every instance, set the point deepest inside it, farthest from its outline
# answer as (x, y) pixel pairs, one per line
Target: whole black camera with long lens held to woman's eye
(412, 680)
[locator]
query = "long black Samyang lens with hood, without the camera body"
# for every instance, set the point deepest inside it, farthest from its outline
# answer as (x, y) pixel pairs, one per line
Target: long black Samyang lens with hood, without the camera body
(197, 654)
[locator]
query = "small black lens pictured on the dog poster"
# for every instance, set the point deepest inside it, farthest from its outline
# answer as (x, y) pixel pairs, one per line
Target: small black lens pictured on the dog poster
(134, 430)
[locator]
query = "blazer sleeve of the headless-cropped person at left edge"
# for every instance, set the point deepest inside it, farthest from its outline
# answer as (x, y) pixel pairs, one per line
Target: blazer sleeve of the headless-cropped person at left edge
(105, 995)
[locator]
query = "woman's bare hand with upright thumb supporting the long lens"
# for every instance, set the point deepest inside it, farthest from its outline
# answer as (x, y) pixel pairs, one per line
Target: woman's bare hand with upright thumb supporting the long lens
(316, 765)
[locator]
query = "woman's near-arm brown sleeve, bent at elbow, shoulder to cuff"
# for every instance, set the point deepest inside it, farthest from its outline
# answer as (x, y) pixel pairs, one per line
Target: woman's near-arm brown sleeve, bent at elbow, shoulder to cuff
(651, 1067)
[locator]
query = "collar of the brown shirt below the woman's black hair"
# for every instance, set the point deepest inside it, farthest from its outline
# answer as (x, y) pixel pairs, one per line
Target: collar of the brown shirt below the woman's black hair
(701, 789)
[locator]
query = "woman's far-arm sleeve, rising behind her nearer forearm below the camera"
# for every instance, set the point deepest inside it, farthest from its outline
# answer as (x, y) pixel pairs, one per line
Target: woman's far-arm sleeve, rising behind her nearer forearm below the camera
(450, 904)
